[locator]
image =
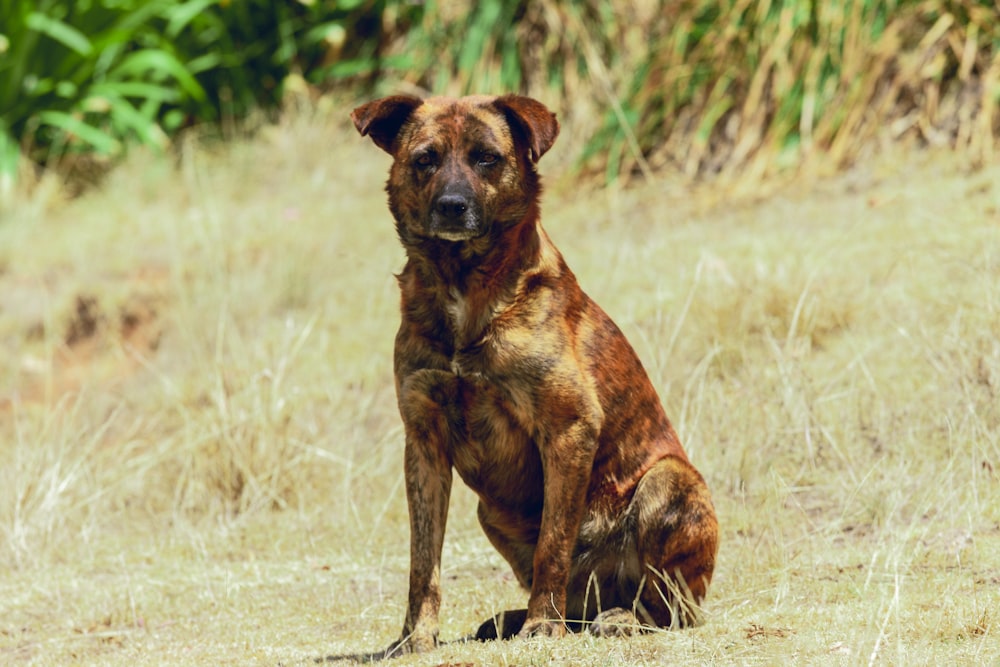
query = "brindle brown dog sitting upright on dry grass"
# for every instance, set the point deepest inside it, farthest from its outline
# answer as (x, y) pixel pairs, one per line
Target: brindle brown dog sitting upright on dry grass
(507, 372)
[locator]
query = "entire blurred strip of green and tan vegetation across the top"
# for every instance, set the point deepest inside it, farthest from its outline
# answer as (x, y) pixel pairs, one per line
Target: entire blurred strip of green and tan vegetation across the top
(698, 86)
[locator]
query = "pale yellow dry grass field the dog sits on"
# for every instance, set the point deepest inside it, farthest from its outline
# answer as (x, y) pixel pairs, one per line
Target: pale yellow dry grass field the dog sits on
(200, 454)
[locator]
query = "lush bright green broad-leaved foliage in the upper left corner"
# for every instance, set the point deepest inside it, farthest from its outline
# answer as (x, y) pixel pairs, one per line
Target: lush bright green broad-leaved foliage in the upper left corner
(92, 75)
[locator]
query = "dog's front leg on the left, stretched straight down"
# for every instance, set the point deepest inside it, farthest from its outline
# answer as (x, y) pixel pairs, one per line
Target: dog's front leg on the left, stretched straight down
(424, 401)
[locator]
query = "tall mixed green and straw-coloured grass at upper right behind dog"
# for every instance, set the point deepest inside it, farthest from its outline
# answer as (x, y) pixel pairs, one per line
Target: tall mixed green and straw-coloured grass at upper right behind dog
(732, 85)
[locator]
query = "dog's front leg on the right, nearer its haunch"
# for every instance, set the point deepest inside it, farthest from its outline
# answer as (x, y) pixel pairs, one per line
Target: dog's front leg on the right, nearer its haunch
(567, 460)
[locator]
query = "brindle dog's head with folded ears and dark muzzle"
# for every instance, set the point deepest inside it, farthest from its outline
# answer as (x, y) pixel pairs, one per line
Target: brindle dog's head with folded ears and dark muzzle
(461, 166)
